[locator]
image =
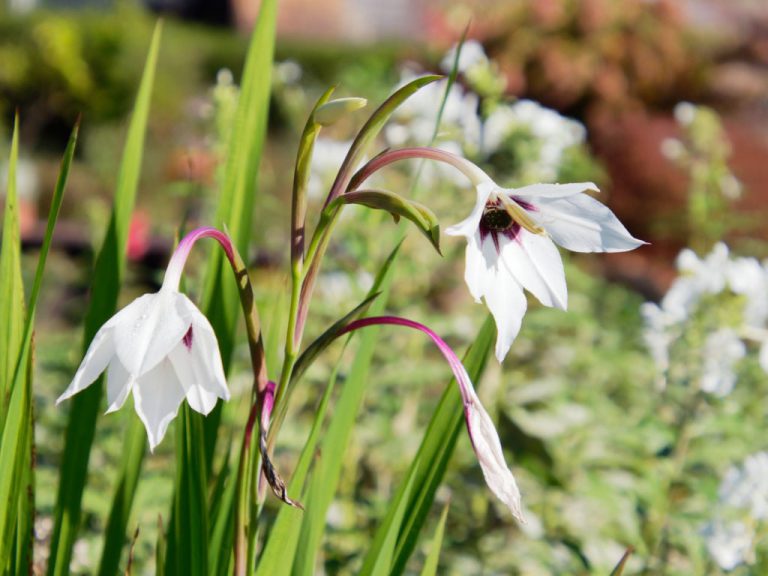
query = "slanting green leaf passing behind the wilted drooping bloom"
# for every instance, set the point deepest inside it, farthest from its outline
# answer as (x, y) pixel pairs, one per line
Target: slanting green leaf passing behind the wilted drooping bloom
(431, 461)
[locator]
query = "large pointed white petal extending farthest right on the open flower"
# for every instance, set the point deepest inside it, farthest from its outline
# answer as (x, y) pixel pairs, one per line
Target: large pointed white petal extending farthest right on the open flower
(582, 224)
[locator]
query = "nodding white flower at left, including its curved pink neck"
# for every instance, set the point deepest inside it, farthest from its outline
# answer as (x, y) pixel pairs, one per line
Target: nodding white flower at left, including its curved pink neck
(161, 348)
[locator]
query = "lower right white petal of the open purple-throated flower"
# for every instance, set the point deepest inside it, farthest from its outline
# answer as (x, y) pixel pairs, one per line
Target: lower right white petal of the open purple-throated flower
(535, 262)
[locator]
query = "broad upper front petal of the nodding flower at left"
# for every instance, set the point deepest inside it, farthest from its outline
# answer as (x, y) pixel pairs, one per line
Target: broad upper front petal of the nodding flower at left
(149, 329)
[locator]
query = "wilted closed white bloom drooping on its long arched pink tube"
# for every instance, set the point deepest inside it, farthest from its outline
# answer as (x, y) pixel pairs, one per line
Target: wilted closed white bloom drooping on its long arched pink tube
(482, 433)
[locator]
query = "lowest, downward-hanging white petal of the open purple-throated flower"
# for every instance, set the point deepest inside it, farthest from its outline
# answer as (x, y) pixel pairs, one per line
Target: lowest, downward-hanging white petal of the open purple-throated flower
(506, 301)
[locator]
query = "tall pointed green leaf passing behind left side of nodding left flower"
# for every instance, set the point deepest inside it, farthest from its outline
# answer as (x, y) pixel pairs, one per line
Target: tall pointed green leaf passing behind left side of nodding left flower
(108, 272)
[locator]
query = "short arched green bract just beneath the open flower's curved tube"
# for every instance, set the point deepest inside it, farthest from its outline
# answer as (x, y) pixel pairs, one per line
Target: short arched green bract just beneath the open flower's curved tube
(424, 219)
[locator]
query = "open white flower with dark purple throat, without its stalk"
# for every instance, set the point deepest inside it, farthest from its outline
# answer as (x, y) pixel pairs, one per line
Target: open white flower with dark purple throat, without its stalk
(510, 235)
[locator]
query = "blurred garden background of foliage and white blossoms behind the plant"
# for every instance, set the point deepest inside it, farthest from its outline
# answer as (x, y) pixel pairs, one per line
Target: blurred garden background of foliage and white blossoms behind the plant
(633, 420)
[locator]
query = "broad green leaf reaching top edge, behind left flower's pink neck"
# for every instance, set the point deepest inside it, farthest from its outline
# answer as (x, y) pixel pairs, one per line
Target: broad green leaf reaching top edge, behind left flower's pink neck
(220, 301)
